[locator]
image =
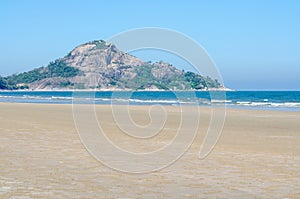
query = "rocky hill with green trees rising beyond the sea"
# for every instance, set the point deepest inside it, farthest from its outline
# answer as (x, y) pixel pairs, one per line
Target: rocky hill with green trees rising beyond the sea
(100, 65)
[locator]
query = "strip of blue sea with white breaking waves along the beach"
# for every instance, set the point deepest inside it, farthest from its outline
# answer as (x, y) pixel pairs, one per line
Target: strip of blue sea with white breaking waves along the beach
(266, 100)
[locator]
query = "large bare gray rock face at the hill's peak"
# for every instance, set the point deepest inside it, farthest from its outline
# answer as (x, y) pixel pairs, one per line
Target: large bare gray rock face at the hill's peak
(100, 63)
